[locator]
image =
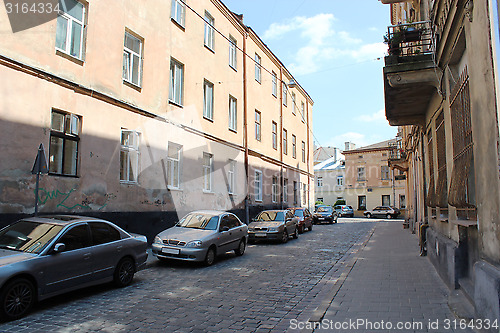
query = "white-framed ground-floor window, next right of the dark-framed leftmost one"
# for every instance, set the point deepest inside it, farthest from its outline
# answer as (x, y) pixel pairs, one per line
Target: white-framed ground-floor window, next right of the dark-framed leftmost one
(129, 156)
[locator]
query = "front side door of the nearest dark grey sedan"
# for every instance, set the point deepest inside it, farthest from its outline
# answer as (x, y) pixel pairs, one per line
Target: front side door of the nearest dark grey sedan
(72, 267)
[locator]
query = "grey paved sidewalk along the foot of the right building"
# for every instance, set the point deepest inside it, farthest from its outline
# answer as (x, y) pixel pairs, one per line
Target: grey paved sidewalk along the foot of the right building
(389, 286)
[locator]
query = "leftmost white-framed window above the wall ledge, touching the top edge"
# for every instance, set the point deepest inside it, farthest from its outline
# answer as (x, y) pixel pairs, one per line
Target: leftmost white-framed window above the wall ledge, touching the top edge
(70, 26)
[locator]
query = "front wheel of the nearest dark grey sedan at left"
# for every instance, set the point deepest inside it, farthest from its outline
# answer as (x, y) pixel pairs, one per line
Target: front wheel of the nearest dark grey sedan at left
(17, 298)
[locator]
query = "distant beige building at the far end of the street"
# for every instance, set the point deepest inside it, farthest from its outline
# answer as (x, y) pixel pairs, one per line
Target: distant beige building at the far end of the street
(369, 182)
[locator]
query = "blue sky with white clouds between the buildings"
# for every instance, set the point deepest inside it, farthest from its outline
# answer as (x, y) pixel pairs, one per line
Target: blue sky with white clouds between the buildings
(330, 47)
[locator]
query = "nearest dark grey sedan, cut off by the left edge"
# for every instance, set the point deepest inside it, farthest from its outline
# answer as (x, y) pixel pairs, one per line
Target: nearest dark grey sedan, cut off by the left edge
(41, 257)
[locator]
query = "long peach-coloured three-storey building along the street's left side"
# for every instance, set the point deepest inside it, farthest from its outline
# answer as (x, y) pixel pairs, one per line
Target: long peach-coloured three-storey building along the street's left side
(147, 111)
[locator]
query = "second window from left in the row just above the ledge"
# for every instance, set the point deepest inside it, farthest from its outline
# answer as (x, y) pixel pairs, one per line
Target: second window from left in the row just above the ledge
(132, 59)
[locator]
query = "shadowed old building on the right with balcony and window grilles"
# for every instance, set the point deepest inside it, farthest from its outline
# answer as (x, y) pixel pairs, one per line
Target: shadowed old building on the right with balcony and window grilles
(441, 87)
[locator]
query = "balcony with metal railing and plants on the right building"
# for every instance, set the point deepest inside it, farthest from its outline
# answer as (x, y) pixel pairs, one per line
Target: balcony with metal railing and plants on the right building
(410, 75)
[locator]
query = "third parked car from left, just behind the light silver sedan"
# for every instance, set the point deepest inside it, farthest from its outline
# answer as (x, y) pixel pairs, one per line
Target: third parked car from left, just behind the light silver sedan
(273, 225)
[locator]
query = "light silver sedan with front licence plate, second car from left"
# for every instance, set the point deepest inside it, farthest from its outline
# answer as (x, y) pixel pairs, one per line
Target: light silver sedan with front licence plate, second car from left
(202, 236)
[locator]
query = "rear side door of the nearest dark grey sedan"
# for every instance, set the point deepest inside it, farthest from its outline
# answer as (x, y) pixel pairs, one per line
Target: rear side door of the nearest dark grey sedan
(107, 248)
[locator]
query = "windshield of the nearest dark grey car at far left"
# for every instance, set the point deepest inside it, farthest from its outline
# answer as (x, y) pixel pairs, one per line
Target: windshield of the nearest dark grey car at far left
(28, 236)
